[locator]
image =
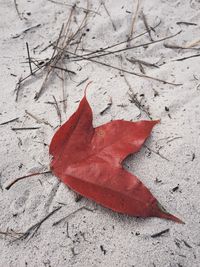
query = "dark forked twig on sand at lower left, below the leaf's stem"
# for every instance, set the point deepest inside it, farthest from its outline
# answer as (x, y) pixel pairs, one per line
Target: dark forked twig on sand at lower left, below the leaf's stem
(33, 229)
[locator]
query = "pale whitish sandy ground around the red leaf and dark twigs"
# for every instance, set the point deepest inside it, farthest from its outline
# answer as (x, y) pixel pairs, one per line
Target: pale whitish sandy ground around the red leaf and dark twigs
(168, 165)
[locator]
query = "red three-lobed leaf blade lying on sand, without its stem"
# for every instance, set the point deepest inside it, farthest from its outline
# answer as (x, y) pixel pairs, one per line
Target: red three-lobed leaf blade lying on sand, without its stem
(89, 161)
